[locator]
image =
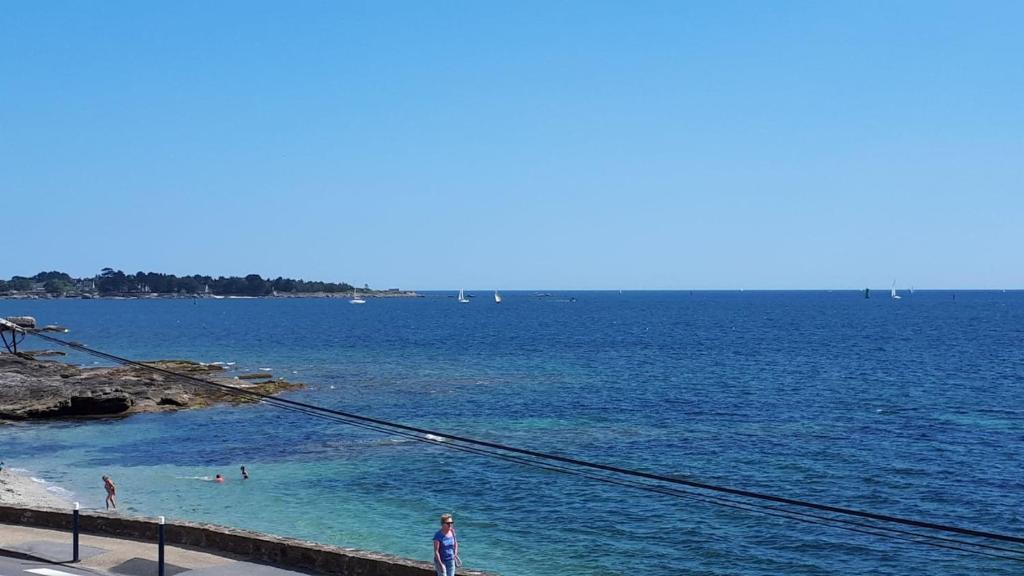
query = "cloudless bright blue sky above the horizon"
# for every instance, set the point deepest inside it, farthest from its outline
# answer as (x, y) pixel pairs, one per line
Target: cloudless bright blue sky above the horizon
(518, 145)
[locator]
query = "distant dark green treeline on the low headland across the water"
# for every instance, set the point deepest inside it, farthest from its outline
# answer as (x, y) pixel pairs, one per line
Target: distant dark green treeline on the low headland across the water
(111, 281)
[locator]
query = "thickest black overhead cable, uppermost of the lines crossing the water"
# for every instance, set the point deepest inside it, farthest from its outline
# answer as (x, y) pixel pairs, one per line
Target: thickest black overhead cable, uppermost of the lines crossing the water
(309, 408)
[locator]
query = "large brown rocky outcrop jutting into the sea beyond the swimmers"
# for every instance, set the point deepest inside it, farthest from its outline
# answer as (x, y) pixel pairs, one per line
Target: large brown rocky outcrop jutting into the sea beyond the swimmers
(33, 389)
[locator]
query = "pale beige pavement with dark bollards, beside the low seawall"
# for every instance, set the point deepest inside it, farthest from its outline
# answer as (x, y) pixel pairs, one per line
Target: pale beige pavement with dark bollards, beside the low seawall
(125, 558)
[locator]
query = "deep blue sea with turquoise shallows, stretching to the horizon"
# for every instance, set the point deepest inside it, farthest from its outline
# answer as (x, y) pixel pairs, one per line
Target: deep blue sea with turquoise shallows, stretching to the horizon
(911, 408)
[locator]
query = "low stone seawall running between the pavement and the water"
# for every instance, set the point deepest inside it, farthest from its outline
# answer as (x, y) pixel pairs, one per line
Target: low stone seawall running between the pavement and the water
(283, 553)
